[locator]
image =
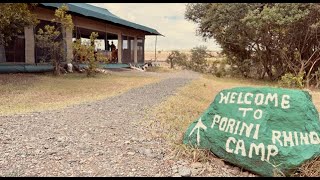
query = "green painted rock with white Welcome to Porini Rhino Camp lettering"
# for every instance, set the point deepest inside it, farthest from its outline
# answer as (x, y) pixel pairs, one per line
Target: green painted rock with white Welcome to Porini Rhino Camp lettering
(265, 130)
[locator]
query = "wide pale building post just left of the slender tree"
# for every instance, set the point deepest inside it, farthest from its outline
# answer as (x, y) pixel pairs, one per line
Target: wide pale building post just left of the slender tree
(29, 45)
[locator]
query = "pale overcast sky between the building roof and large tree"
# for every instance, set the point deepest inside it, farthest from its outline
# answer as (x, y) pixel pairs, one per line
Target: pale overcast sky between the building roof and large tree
(166, 18)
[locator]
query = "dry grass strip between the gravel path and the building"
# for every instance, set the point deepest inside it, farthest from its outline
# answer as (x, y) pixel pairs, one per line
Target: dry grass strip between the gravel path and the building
(22, 93)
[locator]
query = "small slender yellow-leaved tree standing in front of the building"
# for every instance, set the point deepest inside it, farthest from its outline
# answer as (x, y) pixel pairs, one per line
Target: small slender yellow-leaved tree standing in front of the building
(48, 38)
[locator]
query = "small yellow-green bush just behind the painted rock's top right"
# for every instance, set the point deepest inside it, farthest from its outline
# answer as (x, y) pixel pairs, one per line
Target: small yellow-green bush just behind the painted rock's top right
(289, 80)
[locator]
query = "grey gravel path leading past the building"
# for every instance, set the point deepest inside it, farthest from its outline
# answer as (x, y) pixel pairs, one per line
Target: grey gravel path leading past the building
(94, 139)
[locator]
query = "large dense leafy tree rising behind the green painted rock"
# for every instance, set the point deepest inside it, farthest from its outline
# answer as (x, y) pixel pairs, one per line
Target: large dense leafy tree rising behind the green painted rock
(274, 38)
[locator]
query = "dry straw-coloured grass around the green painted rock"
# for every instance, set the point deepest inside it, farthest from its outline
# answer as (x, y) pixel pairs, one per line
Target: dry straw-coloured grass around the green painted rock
(178, 112)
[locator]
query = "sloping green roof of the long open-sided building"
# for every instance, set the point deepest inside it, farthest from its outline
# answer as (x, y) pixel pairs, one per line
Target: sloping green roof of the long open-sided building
(103, 14)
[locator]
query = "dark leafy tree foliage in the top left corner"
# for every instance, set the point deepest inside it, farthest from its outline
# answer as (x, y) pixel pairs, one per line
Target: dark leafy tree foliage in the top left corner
(13, 18)
